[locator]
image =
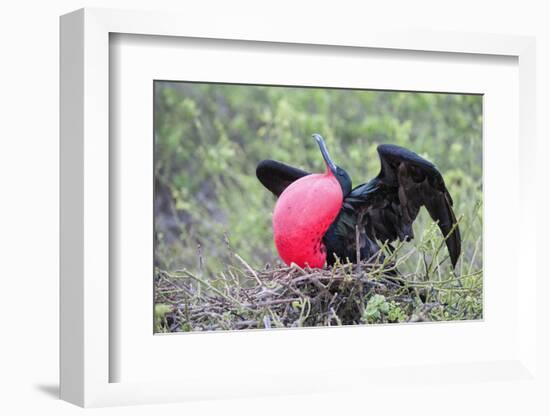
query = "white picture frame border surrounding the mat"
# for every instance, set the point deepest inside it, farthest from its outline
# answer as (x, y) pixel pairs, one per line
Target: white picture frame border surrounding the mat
(87, 304)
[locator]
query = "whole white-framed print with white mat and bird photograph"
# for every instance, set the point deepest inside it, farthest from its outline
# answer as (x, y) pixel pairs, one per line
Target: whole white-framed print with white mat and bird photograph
(260, 214)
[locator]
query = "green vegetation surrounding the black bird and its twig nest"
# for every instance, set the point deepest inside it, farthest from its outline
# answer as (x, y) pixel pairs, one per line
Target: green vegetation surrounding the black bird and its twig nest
(209, 205)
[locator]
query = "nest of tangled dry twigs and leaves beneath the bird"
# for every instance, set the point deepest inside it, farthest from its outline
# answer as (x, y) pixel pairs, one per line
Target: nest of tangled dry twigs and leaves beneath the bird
(283, 297)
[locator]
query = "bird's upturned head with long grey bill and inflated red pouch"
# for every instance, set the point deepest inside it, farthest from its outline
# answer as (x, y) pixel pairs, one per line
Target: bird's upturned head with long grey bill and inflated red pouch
(306, 209)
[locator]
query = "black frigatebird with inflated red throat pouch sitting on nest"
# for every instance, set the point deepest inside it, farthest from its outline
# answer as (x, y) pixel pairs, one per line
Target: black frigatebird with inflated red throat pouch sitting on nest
(318, 218)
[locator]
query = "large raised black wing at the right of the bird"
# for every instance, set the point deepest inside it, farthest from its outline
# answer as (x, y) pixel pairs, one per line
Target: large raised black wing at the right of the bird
(390, 202)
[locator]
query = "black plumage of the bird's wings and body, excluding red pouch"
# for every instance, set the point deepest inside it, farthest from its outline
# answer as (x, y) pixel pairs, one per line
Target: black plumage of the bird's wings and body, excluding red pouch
(383, 209)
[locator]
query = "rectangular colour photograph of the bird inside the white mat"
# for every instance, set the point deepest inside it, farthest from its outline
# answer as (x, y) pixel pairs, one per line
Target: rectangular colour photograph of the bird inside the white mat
(294, 207)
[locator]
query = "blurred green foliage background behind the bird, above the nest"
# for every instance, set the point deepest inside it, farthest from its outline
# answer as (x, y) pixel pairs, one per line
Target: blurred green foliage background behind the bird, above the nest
(210, 137)
